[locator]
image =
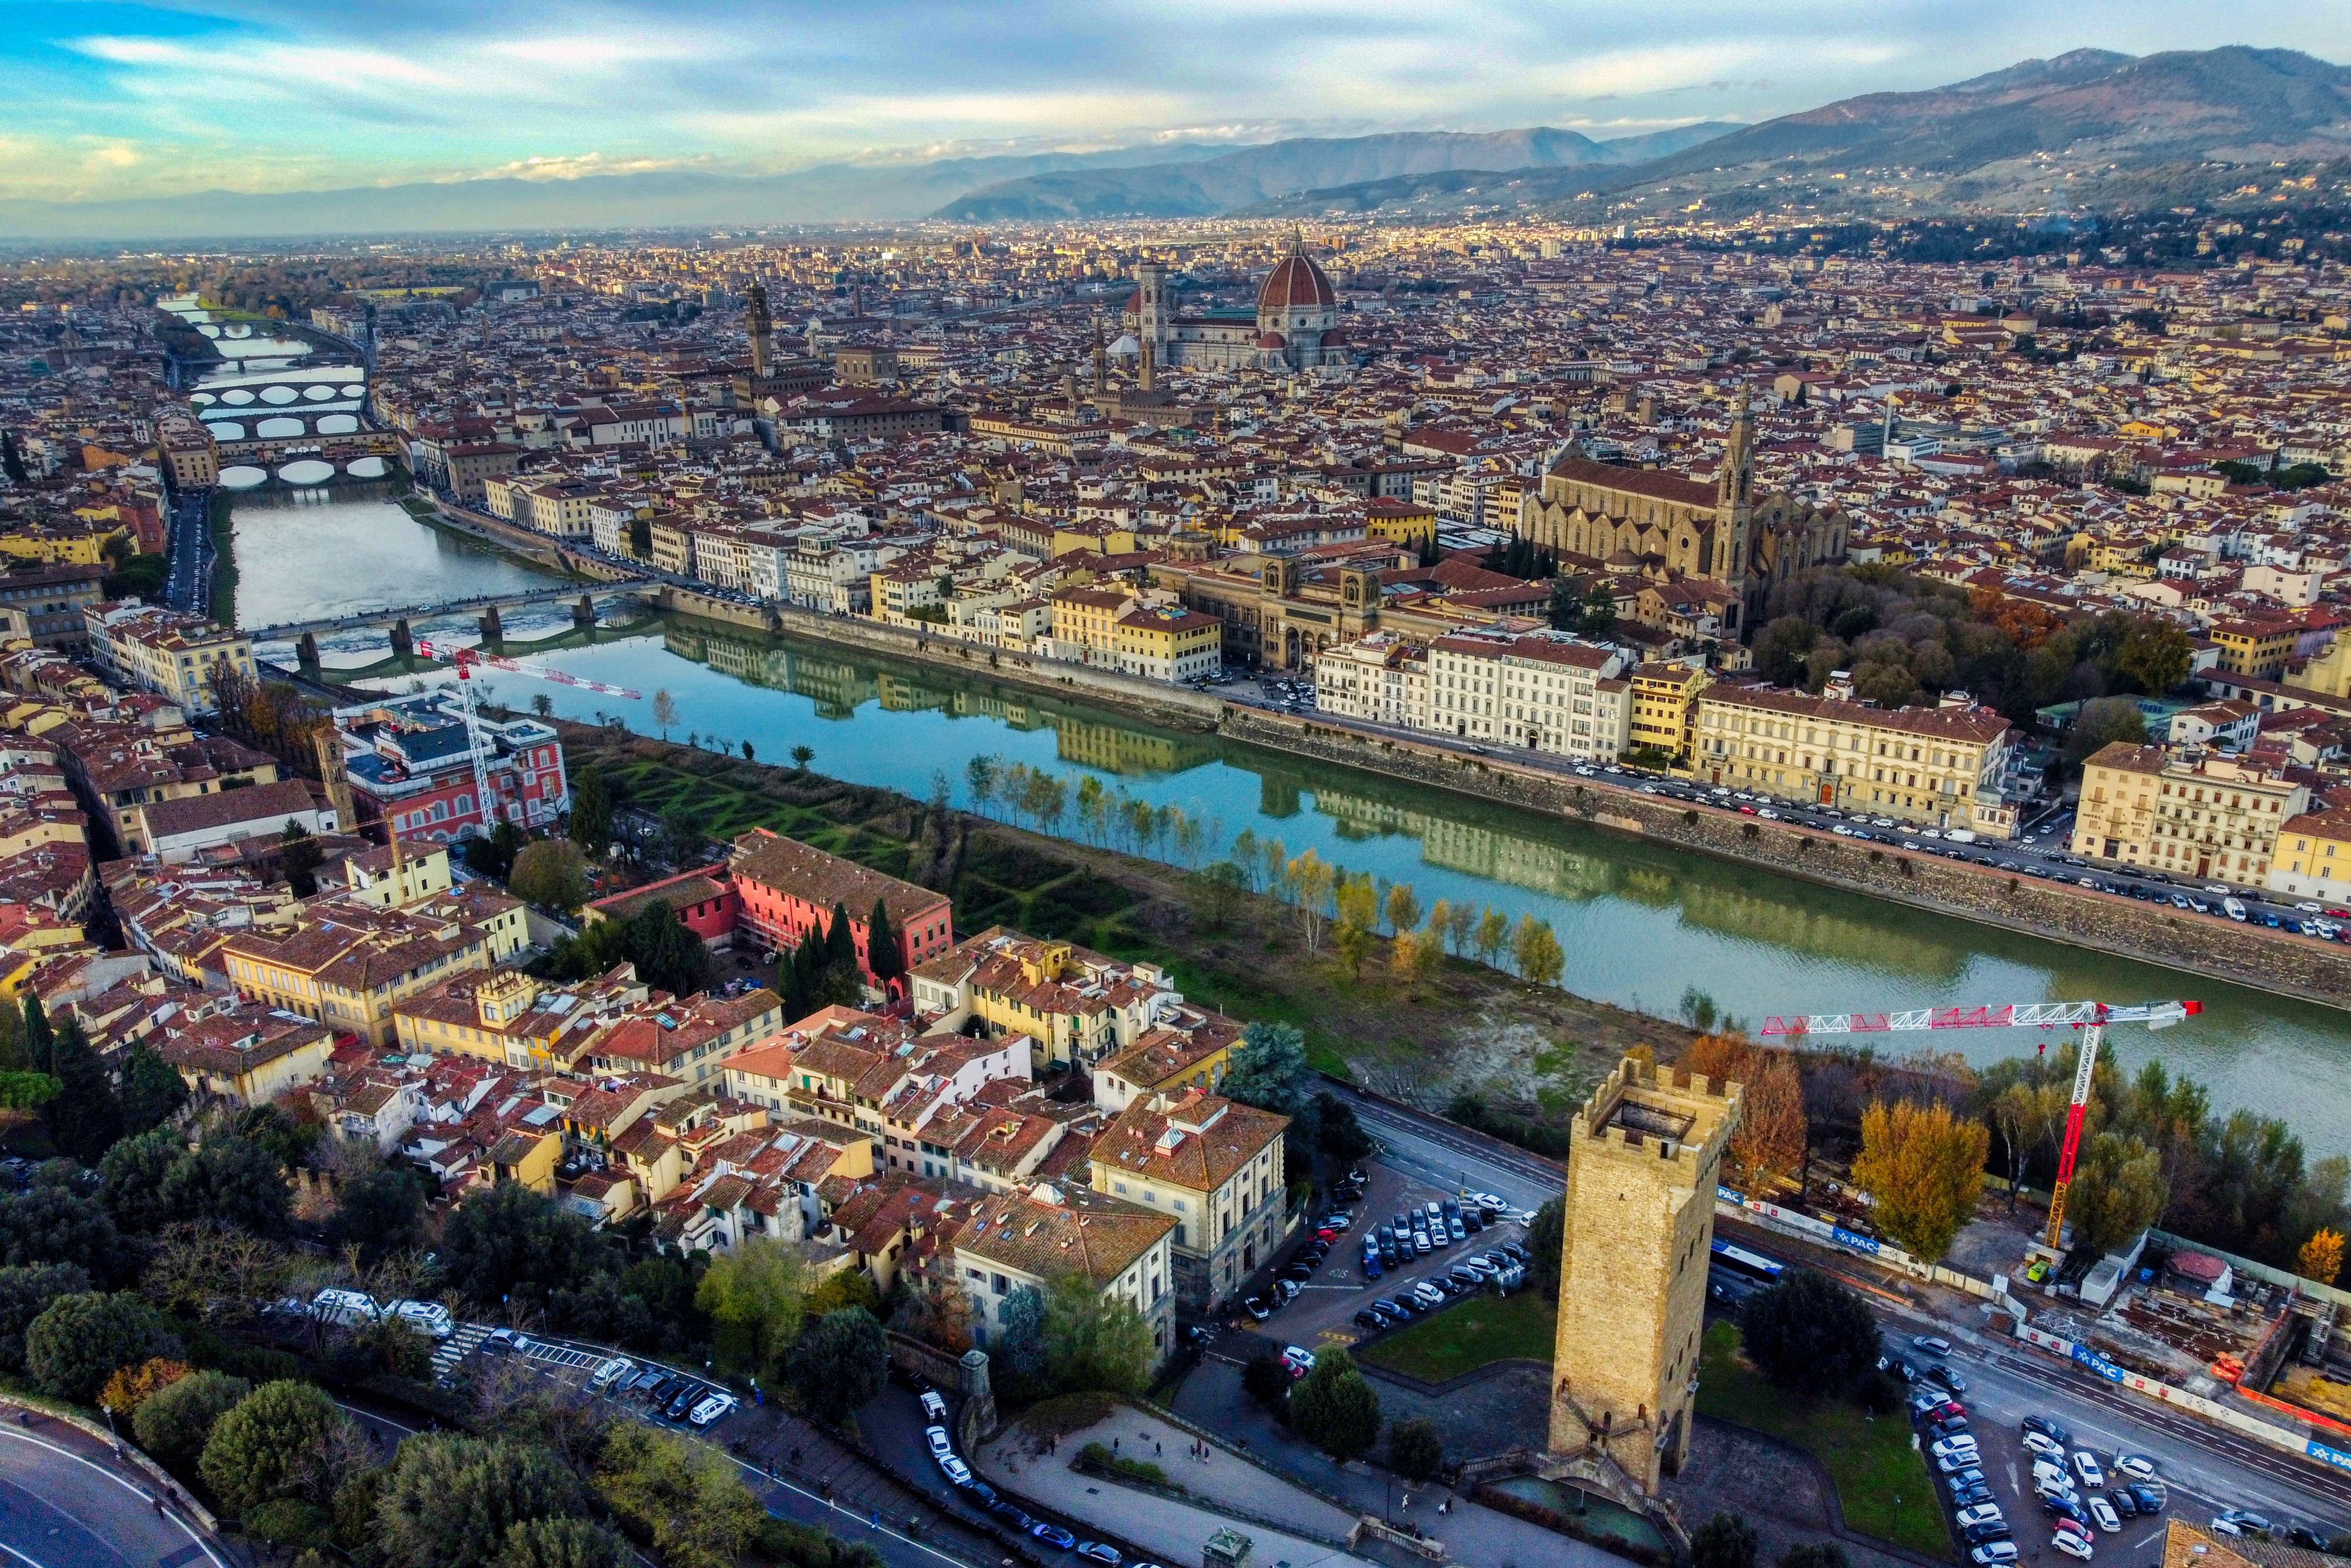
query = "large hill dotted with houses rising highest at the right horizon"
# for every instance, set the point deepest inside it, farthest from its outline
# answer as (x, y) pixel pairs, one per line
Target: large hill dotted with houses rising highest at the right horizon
(2077, 130)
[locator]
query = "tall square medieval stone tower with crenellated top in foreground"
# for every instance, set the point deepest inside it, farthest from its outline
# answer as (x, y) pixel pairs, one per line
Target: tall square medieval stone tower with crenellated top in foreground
(1633, 1271)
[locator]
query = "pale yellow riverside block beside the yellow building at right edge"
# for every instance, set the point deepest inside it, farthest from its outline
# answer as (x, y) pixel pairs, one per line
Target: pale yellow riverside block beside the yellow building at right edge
(2197, 817)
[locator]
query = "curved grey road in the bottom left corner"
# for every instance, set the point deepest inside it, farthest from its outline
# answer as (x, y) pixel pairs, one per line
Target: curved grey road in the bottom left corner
(67, 1503)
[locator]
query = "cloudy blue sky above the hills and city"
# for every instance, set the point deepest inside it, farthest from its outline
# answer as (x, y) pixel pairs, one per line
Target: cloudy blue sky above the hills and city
(102, 100)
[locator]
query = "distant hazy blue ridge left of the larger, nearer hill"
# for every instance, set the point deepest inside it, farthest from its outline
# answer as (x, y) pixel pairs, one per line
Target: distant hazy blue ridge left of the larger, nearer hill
(1254, 175)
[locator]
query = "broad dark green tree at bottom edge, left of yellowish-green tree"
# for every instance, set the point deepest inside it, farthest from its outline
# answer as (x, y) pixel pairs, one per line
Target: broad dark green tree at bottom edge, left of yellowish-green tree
(450, 1501)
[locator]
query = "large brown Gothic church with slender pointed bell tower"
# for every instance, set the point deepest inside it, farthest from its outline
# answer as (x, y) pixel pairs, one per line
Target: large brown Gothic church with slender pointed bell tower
(1673, 530)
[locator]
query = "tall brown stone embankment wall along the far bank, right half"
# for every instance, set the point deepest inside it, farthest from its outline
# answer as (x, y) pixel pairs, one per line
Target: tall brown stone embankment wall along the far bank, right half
(2061, 913)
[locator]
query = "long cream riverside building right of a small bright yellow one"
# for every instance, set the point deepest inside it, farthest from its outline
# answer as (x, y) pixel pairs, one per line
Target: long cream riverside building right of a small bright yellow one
(1936, 768)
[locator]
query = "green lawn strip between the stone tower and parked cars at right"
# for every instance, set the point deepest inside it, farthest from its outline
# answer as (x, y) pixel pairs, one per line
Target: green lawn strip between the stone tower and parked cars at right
(1882, 1482)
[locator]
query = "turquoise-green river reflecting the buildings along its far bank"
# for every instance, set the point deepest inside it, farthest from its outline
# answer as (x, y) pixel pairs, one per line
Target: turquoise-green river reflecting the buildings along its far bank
(1640, 923)
